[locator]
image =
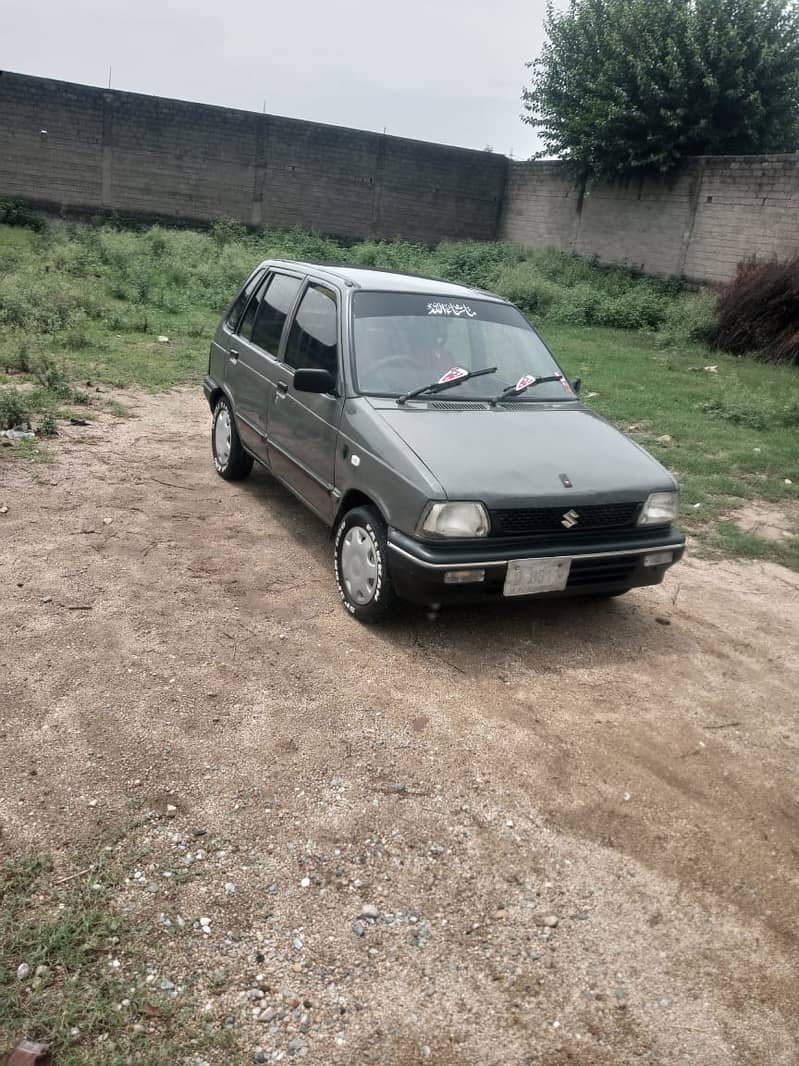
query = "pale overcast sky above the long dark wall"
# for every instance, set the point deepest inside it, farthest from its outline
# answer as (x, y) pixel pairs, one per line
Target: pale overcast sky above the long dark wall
(449, 71)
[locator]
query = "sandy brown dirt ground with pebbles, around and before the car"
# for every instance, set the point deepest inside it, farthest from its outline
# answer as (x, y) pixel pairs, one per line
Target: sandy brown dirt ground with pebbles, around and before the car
(575, 829)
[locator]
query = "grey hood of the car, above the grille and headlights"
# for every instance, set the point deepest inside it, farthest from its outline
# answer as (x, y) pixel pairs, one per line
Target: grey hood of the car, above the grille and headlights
(512, 456)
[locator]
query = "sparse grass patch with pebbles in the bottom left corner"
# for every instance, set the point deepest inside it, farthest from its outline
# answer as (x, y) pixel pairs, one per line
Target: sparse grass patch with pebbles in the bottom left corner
(81, 1005)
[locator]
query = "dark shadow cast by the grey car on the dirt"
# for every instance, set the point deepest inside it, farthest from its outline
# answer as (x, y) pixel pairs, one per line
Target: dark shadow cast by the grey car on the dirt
(545, 636)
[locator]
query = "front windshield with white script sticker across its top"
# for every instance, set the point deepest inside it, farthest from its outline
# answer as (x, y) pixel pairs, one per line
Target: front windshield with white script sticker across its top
(404, 342)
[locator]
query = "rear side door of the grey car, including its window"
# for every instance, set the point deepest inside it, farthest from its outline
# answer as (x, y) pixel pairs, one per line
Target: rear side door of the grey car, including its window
(253, 359)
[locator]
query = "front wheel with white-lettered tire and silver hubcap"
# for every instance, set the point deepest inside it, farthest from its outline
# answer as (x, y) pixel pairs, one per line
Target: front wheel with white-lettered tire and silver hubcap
(361, 555)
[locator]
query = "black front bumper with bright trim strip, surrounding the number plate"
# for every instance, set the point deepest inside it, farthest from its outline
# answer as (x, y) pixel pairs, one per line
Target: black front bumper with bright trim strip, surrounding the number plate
(601, 568)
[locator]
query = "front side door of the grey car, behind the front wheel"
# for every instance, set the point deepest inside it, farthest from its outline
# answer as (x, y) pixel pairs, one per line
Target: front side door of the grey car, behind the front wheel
(303, 427)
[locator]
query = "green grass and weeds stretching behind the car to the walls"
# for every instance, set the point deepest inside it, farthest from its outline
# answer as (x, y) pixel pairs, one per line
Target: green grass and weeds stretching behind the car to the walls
(84, 305)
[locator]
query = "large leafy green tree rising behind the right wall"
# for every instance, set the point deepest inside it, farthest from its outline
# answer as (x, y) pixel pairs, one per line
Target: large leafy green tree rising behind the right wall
(629, 86)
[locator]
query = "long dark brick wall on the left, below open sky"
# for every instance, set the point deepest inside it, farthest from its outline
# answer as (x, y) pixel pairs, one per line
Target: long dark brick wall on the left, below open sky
(157, 158)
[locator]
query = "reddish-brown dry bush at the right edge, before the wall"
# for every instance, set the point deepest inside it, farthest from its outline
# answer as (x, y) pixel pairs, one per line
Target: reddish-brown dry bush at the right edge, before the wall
(759, 312)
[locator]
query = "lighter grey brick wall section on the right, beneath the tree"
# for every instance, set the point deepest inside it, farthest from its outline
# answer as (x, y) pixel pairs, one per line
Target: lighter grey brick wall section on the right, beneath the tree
(698, 224)
